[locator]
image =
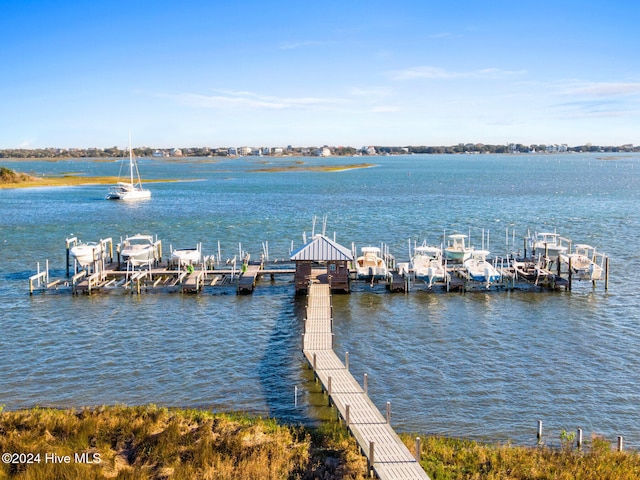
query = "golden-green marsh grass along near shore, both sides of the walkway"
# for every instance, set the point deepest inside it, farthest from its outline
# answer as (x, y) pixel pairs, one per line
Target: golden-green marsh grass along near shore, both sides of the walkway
(159, 443)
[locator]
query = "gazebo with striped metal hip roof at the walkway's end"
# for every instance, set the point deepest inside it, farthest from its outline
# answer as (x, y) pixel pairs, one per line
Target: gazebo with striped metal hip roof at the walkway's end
(325, 260)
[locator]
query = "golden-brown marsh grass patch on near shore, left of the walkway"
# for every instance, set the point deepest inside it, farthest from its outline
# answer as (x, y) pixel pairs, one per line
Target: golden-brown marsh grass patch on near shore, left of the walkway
(159, 443)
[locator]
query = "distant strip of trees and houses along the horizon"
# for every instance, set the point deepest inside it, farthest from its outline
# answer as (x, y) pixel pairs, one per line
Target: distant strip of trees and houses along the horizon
(300, 151)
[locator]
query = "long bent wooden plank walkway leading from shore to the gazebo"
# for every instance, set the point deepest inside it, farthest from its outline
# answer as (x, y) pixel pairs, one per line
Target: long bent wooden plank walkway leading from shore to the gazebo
(387, 456)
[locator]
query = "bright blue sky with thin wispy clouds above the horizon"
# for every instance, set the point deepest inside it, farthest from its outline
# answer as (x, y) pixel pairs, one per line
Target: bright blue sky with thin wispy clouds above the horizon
(233, 73)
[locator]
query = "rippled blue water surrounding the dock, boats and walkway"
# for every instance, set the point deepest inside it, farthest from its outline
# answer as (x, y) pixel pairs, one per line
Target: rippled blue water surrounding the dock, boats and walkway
(477, 365)
